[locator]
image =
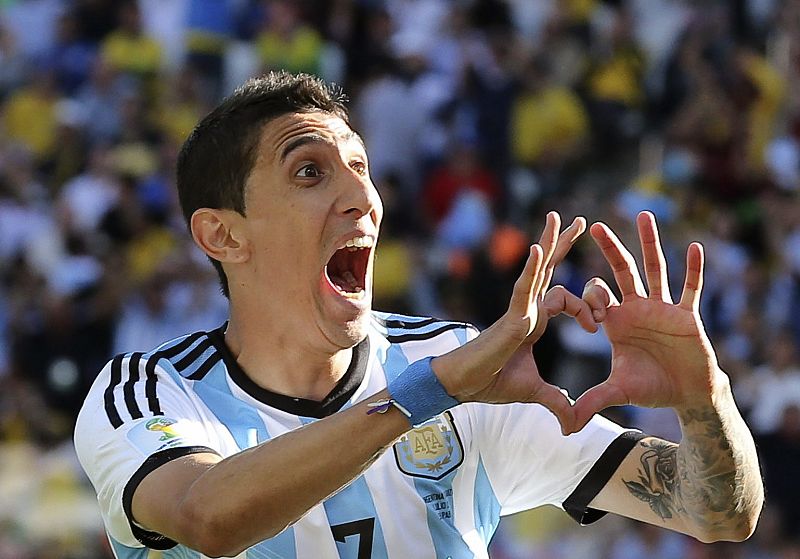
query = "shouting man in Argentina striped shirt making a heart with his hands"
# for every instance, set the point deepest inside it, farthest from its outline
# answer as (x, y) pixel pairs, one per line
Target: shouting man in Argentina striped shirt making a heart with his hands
(310, 426)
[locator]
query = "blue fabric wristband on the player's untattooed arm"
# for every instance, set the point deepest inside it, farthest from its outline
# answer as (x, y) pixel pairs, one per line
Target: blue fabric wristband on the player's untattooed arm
(418, 391)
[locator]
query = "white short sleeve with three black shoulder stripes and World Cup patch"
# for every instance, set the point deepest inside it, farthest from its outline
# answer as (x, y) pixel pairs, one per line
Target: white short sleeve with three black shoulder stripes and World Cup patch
(136, 418)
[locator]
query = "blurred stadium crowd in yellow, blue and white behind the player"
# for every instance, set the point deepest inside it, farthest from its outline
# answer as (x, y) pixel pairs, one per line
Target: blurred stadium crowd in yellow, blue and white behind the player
(479, 116)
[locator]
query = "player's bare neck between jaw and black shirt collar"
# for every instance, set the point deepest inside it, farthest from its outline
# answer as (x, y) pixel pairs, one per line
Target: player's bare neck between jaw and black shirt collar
(278, 360)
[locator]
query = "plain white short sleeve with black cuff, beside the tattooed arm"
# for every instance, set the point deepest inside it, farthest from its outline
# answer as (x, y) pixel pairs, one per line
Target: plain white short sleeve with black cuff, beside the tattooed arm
(530, 463)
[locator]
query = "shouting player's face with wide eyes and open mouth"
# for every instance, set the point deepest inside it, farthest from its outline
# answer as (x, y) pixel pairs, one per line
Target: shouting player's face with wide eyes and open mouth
(312, 218)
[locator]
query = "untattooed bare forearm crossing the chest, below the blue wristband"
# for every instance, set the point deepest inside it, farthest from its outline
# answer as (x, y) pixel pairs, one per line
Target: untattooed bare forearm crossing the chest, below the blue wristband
(259, 492)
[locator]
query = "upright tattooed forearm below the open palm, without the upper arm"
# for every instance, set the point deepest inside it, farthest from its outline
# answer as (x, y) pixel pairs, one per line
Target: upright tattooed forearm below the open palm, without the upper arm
(719, 487)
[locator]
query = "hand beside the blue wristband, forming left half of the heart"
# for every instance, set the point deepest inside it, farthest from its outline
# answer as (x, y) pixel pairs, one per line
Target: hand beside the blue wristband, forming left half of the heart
(497, 366)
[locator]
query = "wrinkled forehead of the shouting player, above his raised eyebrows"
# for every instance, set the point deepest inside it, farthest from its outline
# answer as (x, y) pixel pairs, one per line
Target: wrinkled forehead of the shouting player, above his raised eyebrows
(280, 135)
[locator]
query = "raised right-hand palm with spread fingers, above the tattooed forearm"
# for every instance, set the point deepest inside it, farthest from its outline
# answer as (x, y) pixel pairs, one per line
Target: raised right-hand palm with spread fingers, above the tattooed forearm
(661, 355)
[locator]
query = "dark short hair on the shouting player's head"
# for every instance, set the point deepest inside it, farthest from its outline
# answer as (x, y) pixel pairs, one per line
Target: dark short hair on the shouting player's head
(217, 158)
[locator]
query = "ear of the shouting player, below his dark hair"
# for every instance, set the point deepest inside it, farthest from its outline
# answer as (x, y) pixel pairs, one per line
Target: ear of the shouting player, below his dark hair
(218, 234)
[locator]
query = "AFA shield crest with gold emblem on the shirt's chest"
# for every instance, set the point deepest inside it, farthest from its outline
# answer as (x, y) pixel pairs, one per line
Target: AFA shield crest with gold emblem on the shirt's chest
(431, 450)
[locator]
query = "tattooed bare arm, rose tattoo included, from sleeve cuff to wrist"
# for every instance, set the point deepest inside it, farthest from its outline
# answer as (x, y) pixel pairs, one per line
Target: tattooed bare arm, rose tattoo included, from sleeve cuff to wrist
(709, 485)
